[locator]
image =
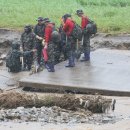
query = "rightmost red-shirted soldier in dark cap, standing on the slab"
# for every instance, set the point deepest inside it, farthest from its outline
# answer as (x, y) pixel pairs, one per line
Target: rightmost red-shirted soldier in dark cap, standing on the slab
(86, 35)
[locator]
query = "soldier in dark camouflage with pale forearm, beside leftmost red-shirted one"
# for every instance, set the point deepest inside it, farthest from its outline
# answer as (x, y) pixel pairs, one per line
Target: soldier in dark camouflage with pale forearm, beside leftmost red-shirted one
(39, 32)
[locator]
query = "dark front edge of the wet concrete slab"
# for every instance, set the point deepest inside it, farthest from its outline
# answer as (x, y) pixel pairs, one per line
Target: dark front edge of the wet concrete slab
(63, 88)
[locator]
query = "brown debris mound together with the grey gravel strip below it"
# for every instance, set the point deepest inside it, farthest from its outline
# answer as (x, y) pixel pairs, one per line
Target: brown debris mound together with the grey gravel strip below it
(66, 107)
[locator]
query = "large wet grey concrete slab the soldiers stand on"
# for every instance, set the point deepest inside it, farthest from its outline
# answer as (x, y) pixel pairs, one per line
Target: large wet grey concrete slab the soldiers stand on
(107, 73)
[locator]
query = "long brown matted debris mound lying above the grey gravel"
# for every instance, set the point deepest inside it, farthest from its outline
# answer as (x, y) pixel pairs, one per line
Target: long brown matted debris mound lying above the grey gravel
(94, 104)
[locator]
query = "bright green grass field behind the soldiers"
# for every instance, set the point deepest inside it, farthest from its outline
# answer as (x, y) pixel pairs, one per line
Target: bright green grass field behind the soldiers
(110, 15)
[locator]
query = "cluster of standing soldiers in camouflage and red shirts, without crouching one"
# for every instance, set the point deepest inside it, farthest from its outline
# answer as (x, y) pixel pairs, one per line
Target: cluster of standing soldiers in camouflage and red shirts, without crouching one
(47, 43)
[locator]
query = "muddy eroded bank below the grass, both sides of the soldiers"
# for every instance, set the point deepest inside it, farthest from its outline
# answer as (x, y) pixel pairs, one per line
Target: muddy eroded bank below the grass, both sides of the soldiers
(100, 40)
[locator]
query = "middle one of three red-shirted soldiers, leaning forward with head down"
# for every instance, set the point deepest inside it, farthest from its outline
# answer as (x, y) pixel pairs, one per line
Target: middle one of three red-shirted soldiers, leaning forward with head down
(68, 26)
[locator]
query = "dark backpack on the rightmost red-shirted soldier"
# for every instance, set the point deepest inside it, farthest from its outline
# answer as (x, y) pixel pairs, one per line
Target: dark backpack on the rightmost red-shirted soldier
(91, 27)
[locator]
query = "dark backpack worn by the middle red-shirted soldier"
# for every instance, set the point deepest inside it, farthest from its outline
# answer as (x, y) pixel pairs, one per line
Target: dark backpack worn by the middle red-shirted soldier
(77, 32)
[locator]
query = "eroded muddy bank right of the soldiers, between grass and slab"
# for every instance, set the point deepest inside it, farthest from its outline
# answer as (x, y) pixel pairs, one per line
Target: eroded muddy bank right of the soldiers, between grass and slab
(121, 41)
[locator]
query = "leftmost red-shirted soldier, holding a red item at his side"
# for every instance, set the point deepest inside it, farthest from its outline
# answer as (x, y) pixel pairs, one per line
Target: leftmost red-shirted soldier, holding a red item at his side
(48, 51)
